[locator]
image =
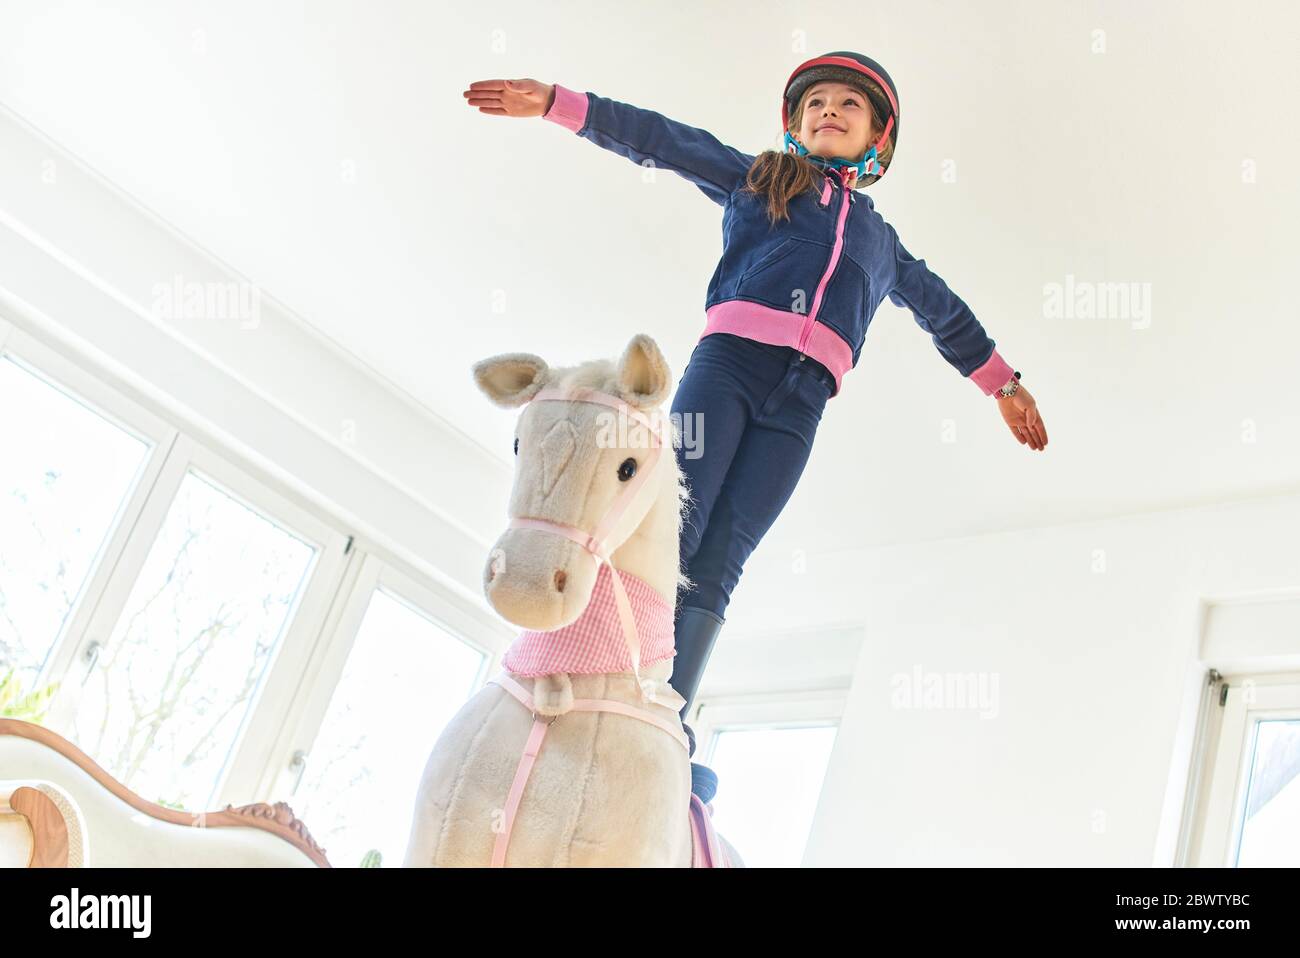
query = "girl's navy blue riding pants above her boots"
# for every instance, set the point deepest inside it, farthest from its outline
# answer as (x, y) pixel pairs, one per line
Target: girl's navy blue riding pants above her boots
(748, 413)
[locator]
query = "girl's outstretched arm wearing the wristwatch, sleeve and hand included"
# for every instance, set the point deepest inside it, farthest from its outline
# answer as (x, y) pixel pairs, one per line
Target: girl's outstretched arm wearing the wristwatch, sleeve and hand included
(963, 341)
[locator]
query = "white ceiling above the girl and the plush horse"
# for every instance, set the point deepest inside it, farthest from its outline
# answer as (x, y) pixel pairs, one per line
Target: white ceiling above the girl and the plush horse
(324, 150)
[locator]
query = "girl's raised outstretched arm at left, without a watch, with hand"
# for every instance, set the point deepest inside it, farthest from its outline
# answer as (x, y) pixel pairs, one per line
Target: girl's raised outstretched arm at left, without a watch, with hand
(642, 136)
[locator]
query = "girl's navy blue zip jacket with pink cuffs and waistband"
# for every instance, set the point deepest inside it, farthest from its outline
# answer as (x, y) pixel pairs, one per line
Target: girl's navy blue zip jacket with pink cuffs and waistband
(812, 283)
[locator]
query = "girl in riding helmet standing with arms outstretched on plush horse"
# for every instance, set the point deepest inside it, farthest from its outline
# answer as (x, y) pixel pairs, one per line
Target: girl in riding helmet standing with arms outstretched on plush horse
(803, 271)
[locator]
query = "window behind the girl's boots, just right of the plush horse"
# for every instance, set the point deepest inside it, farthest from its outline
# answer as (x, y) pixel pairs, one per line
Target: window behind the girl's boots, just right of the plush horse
(772, 756)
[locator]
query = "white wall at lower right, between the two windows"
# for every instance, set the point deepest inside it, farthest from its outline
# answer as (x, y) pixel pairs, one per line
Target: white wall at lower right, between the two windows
(1095, 635)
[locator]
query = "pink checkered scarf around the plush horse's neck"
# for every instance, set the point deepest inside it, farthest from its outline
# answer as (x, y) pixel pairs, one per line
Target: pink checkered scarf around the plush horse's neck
(595, 641)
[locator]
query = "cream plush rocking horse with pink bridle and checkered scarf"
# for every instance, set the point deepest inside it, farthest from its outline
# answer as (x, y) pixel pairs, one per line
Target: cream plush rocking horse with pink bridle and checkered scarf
(575, 753)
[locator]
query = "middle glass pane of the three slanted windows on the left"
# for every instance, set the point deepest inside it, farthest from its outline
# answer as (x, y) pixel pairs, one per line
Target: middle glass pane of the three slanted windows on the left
(168, 693)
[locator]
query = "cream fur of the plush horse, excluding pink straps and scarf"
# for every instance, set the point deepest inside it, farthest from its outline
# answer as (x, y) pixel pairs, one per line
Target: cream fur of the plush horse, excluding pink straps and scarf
(606, 790)
